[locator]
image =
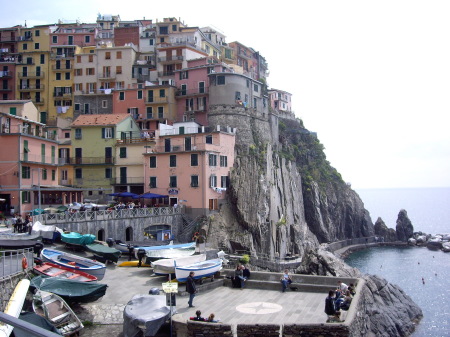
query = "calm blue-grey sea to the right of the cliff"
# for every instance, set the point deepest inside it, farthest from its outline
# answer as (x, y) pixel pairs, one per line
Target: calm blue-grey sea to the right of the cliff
(422, 273)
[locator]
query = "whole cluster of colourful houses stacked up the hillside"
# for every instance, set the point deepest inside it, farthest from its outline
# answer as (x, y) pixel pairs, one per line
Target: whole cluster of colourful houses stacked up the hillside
(92, 109)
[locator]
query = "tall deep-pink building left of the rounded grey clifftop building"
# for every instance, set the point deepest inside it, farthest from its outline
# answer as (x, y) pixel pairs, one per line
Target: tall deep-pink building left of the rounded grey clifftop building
(193, 89)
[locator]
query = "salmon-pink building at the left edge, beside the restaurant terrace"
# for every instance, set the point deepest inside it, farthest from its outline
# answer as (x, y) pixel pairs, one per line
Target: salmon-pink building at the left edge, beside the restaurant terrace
(30, 176)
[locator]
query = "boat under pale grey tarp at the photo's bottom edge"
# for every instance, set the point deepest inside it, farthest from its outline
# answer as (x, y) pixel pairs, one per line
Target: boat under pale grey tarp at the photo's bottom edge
(145, 314)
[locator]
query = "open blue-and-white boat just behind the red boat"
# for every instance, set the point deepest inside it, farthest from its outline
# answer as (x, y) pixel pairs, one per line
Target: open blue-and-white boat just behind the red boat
(74, 262)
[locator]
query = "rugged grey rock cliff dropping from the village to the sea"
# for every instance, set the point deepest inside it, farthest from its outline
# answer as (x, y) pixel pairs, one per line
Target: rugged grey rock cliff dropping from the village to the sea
(286, 199)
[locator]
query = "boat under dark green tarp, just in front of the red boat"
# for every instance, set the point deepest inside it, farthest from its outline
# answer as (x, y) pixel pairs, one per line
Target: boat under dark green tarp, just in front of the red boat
(70, 291)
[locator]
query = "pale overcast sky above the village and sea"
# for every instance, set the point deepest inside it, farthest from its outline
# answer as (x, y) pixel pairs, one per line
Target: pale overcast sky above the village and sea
(372, 78)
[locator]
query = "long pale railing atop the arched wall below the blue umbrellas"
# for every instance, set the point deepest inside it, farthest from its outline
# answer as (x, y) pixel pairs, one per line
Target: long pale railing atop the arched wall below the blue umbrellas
(105, 214)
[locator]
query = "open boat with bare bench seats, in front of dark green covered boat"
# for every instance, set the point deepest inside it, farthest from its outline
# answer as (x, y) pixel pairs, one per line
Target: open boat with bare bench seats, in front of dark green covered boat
(57, 311)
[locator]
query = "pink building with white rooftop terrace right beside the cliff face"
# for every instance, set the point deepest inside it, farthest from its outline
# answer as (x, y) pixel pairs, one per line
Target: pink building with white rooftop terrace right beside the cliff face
(191, 164)
